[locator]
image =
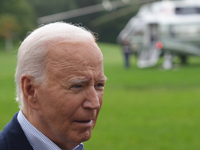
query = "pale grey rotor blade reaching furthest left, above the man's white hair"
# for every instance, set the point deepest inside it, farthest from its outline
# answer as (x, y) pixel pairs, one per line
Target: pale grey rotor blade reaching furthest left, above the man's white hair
(78, 12)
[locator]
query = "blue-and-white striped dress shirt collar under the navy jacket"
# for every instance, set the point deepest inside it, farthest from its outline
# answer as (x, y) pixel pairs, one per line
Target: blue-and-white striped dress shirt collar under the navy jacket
(37, 139)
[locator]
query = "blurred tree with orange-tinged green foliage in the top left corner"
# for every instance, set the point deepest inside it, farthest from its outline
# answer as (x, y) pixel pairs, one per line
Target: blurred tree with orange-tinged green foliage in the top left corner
(16, 19)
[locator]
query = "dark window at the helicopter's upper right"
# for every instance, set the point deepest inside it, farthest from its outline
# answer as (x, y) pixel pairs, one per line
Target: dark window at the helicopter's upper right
(187, 10)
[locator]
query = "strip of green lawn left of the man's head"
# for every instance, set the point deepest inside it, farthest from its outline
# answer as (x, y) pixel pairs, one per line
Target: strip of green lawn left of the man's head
(8, 106)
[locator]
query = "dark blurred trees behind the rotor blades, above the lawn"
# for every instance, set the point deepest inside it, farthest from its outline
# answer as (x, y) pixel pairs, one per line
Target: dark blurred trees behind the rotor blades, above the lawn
(23, 15)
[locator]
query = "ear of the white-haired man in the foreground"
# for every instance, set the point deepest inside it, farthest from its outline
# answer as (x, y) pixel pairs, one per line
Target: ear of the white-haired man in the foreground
(28, 89)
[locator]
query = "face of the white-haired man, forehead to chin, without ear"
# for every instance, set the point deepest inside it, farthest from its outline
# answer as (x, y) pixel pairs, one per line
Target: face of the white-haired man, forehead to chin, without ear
(71, 98)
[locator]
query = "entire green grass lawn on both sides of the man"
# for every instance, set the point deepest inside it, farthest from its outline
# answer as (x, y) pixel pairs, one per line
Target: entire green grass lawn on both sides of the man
(143, 109)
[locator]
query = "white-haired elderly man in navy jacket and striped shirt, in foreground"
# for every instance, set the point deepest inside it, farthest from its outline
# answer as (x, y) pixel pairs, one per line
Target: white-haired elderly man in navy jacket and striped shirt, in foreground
(60, 85)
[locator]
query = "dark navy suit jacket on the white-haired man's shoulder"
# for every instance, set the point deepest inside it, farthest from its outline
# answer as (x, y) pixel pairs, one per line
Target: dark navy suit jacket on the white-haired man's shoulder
(13, 138)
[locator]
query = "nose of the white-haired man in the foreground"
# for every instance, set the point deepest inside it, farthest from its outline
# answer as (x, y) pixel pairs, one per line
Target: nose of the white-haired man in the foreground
(91, 99)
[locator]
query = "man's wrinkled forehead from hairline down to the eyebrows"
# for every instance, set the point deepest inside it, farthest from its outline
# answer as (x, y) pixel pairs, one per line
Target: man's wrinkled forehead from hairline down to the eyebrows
(75, 59)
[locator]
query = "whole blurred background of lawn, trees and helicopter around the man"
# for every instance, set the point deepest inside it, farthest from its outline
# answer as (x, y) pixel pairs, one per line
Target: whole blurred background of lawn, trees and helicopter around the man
(151, 54)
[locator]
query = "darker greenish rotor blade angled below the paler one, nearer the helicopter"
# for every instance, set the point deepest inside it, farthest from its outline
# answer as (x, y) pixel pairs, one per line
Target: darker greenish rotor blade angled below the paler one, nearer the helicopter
(117, 14)
